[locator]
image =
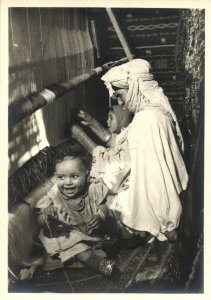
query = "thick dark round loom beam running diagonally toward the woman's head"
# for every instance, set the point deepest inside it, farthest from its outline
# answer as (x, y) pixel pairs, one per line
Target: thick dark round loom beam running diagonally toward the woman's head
(26, 106)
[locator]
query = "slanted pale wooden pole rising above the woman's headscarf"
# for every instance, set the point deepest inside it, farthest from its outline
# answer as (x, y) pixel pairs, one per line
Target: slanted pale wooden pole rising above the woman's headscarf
(119, 33)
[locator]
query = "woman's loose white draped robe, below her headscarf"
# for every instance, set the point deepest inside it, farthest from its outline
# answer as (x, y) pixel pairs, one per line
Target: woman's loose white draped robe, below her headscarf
(151, 157)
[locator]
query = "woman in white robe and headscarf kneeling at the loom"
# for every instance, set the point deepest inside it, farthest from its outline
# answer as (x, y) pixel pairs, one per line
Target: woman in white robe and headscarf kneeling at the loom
(148, 154)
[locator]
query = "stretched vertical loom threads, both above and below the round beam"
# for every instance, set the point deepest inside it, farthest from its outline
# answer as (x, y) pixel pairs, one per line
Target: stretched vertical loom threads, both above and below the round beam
(55, 47)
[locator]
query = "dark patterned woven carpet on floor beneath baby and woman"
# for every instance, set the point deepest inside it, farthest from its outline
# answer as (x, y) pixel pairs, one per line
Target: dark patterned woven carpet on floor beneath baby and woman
(152, 268)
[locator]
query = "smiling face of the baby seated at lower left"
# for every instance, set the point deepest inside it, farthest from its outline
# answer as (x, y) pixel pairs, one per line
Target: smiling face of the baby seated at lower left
(71, 177)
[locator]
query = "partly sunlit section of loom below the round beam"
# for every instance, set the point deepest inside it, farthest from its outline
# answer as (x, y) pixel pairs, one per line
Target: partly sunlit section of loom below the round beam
(47, 125)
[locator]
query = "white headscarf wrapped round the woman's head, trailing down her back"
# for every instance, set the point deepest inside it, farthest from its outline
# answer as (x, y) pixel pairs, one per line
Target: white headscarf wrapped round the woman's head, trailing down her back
(142, 89)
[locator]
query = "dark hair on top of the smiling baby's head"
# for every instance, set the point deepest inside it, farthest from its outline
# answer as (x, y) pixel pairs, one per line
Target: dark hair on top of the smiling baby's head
(74, 152)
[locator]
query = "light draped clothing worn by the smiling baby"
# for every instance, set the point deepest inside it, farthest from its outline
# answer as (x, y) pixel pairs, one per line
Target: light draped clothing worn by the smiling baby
(68, 239)
